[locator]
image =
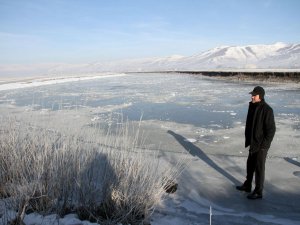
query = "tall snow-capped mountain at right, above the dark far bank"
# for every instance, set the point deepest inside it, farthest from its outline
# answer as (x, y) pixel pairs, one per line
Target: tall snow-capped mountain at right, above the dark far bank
(277, 56)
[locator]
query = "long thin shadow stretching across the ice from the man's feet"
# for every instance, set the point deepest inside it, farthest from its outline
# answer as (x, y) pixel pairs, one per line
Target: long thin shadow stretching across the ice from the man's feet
(195, 151)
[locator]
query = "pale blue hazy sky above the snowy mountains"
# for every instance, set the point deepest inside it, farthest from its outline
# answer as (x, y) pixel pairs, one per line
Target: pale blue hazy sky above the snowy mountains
(75, 31)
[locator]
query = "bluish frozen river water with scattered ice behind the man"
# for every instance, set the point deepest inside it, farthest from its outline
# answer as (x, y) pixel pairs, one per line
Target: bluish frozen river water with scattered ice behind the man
(185, 99)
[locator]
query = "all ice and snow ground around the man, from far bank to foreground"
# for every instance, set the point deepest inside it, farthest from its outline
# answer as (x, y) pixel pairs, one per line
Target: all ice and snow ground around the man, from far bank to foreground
(183, 116)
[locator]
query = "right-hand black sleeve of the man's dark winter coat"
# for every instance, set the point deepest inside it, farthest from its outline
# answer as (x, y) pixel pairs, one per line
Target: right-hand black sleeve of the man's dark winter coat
(269, 129)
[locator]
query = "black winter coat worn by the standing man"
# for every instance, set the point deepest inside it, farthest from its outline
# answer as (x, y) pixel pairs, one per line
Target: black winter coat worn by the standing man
(260, 126)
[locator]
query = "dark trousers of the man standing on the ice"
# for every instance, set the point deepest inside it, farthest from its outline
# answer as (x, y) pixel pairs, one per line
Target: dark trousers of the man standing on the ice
(256, 164)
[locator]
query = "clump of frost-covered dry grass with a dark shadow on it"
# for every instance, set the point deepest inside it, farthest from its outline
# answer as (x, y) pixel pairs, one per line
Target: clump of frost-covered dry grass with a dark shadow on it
(108, 180)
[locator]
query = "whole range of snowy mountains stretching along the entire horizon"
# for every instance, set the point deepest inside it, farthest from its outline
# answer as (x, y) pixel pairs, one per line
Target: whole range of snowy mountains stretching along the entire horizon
(250, 57)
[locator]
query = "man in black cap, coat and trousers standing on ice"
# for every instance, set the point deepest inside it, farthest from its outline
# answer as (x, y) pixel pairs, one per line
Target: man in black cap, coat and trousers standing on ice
(259, 132)
